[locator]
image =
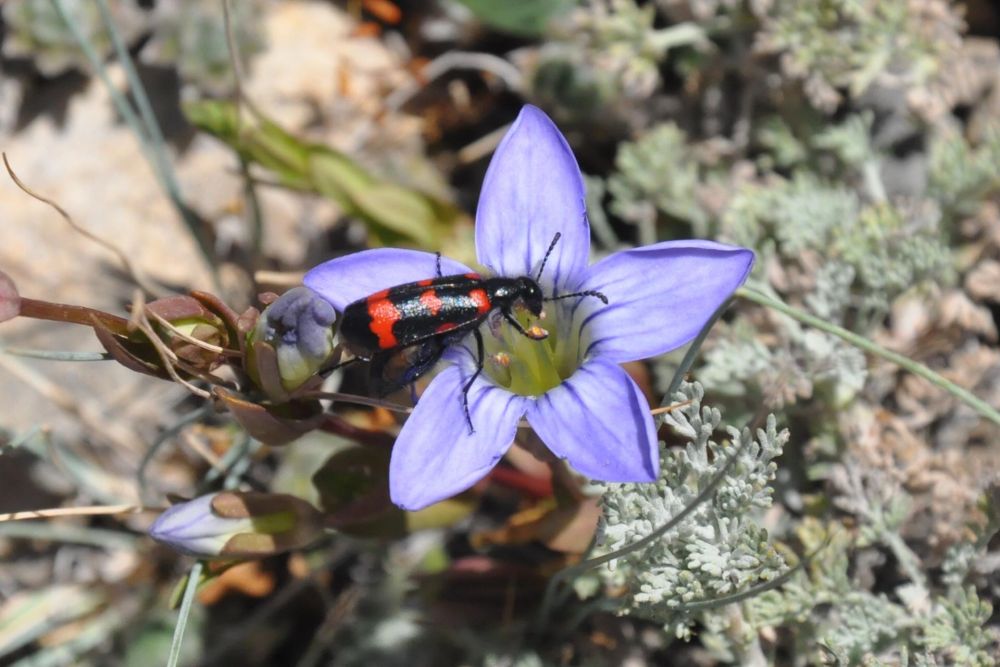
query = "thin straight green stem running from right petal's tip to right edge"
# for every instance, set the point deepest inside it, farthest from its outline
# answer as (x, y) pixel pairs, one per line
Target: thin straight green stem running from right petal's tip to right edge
(915, 367)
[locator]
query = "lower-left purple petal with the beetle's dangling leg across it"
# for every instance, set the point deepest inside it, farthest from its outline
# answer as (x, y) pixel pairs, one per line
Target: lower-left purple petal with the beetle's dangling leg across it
(435, 456)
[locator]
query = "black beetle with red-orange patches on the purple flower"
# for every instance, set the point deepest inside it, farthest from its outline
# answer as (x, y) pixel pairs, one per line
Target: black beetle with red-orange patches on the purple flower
(414, 323)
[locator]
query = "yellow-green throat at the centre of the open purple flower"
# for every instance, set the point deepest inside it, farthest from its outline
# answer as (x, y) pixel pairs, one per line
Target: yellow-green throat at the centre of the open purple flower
(527, 366)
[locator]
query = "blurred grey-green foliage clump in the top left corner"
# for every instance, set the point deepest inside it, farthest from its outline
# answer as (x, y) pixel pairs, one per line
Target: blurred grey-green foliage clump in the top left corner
(35, 30)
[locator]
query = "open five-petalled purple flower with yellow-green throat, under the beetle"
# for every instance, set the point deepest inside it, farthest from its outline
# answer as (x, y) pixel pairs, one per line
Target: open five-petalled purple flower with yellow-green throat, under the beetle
(569, 386)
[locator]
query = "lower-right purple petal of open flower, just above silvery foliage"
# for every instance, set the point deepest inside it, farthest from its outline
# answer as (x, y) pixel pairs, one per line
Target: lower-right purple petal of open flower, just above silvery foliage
(599, 421)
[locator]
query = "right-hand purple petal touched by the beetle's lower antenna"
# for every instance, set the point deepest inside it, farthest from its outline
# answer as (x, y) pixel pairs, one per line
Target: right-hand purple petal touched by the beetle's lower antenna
(659, 296)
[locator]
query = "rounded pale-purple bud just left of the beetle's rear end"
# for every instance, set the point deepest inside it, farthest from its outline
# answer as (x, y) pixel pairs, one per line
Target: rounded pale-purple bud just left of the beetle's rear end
(298, 327)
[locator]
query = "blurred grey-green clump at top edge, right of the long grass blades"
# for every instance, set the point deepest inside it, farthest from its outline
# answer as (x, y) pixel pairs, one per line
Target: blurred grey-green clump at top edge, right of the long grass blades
(191, 35)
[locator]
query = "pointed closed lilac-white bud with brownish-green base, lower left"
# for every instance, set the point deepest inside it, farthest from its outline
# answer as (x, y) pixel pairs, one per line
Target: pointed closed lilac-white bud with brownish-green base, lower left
(235, 525)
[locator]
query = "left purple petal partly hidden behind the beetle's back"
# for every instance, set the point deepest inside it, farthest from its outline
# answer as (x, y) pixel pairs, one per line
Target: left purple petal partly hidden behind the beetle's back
(346, 279)
